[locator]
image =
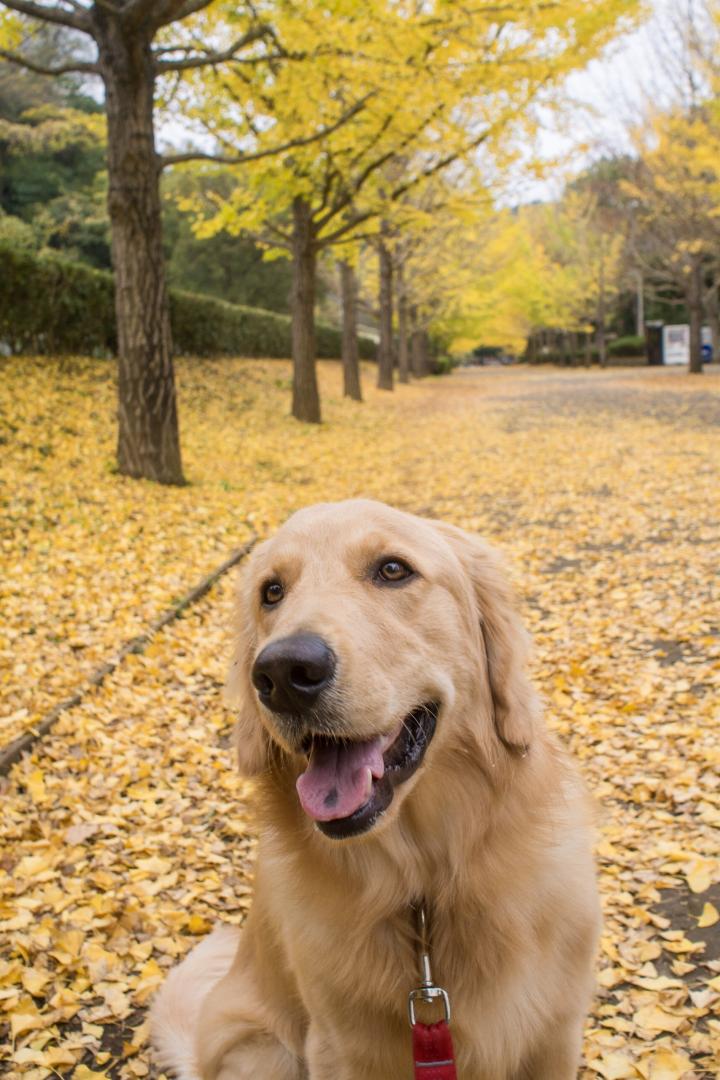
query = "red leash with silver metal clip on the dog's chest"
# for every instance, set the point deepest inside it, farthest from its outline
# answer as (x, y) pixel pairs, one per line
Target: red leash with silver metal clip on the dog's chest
(432, 1044)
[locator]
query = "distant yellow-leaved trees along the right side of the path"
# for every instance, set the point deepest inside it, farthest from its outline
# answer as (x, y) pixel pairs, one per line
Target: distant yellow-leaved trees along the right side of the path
(636, 237)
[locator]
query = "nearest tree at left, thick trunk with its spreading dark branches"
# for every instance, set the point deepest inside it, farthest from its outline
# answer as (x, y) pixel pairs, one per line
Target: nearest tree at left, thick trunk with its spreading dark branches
(134, 47)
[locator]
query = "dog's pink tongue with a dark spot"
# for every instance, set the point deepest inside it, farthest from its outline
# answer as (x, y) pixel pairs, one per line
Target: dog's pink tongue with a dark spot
(339, 778)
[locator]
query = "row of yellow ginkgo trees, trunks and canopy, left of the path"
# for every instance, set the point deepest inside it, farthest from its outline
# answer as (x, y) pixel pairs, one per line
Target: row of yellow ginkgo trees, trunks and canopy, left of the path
(335, 118)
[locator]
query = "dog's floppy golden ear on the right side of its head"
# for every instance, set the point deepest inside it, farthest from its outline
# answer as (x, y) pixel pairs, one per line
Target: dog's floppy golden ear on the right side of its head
(502, 641)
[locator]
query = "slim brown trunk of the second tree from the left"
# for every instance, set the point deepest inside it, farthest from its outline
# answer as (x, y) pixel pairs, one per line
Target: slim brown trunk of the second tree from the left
(306, 398)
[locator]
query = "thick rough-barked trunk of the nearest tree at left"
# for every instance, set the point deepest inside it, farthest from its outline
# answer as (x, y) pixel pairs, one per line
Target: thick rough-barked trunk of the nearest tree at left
(148, 438)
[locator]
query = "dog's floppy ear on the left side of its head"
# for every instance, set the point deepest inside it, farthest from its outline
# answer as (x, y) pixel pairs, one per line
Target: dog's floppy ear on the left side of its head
(251, 736)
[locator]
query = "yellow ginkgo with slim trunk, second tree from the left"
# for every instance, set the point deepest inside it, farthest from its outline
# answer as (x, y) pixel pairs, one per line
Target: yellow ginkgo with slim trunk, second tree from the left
(431, 84)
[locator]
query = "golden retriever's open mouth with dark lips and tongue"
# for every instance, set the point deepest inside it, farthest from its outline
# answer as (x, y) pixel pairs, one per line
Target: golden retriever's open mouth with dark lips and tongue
(348, 786)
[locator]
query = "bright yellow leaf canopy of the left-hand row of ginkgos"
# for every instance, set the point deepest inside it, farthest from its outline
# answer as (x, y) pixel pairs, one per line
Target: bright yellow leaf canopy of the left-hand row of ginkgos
(428, 87)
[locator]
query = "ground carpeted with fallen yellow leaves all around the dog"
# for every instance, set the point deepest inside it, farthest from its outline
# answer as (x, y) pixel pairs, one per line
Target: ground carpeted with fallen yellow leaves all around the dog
(127, 834)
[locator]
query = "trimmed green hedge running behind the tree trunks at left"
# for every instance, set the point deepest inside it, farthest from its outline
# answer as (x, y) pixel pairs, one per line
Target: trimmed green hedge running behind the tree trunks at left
(49, 306)
